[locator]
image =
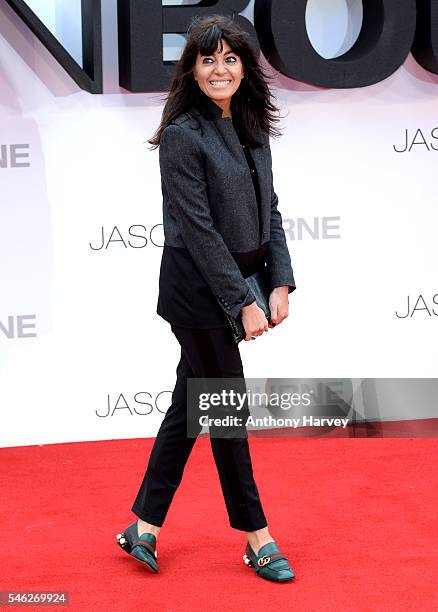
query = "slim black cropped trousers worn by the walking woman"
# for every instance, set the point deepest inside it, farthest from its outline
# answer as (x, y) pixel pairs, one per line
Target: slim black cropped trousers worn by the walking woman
(205, 353)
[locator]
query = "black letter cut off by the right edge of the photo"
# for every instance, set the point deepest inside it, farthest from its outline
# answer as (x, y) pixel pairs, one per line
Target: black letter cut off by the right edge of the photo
(425, 49)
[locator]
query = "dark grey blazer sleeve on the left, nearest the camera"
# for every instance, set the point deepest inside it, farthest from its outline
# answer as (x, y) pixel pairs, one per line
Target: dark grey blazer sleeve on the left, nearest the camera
(183, 177)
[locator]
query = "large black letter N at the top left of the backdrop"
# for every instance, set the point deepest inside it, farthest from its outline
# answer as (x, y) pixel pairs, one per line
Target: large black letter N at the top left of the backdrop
(88, 77)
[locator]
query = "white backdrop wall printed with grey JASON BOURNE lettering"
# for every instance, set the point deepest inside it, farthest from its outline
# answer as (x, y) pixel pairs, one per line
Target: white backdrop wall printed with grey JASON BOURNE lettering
(79, 336)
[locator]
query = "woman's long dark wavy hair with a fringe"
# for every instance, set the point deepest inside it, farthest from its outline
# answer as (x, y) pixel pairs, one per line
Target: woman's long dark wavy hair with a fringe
(251, 102)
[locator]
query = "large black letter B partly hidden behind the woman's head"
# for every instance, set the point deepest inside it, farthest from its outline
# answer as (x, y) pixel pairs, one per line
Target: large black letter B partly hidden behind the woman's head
(142, 24)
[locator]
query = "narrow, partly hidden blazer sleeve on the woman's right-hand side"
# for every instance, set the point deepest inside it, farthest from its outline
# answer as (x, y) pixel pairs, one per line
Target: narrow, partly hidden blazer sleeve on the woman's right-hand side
(278, 257)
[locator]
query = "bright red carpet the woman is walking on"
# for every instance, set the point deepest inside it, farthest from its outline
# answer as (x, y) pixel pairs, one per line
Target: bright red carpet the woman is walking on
(357, 519)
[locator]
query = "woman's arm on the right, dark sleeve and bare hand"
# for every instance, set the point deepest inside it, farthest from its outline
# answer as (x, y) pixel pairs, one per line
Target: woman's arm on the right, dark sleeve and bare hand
(278, 260)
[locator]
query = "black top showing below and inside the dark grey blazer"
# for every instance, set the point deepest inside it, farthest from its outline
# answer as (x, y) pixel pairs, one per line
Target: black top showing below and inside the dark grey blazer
(182, 285)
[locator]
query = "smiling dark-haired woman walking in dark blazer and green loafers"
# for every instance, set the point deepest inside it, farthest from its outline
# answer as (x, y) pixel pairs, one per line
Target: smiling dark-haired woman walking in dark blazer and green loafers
(221, 224)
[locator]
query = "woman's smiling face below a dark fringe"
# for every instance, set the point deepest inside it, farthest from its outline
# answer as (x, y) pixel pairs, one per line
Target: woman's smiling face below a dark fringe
(219, 75)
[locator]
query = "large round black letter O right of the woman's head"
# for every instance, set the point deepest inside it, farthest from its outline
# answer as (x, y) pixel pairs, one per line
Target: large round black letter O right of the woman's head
(384, 42)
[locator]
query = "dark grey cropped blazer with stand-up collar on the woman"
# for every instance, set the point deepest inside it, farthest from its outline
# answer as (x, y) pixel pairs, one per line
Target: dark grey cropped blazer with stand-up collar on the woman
(210, 207)
